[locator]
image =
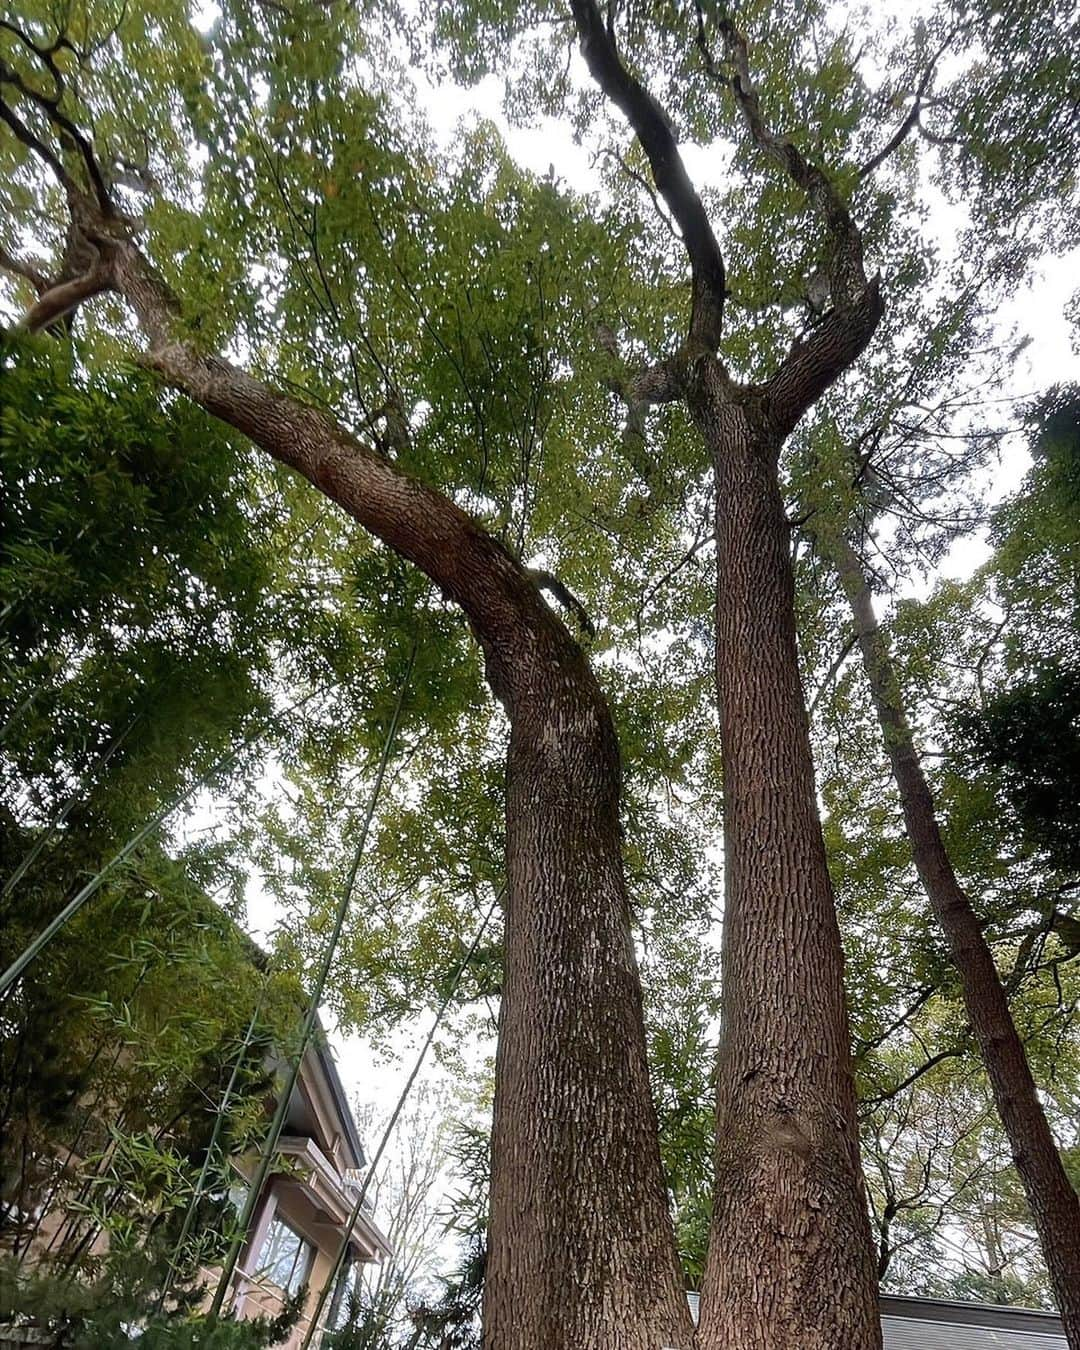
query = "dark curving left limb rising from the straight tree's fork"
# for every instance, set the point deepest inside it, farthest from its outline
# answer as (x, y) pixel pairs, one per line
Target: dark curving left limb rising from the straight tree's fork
(653, 129)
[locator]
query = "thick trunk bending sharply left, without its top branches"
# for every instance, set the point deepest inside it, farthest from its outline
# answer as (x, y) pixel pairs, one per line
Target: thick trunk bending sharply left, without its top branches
(581, 1247)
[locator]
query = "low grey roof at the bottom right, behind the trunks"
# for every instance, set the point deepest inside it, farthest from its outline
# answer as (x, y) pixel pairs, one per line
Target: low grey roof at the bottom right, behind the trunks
(912, 1324)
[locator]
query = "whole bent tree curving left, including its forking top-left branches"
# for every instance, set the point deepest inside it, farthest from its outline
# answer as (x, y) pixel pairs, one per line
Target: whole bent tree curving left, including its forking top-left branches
(573, 1096)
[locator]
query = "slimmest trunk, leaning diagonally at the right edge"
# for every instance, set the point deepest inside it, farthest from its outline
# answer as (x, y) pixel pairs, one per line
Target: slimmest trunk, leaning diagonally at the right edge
(1055, 1204)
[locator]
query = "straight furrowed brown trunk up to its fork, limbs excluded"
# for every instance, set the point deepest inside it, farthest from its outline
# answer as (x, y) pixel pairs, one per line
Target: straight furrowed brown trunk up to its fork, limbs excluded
(790, 1256)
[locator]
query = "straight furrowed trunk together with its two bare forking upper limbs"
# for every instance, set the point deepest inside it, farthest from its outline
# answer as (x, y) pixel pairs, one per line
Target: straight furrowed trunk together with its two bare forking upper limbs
(789, 1195)
